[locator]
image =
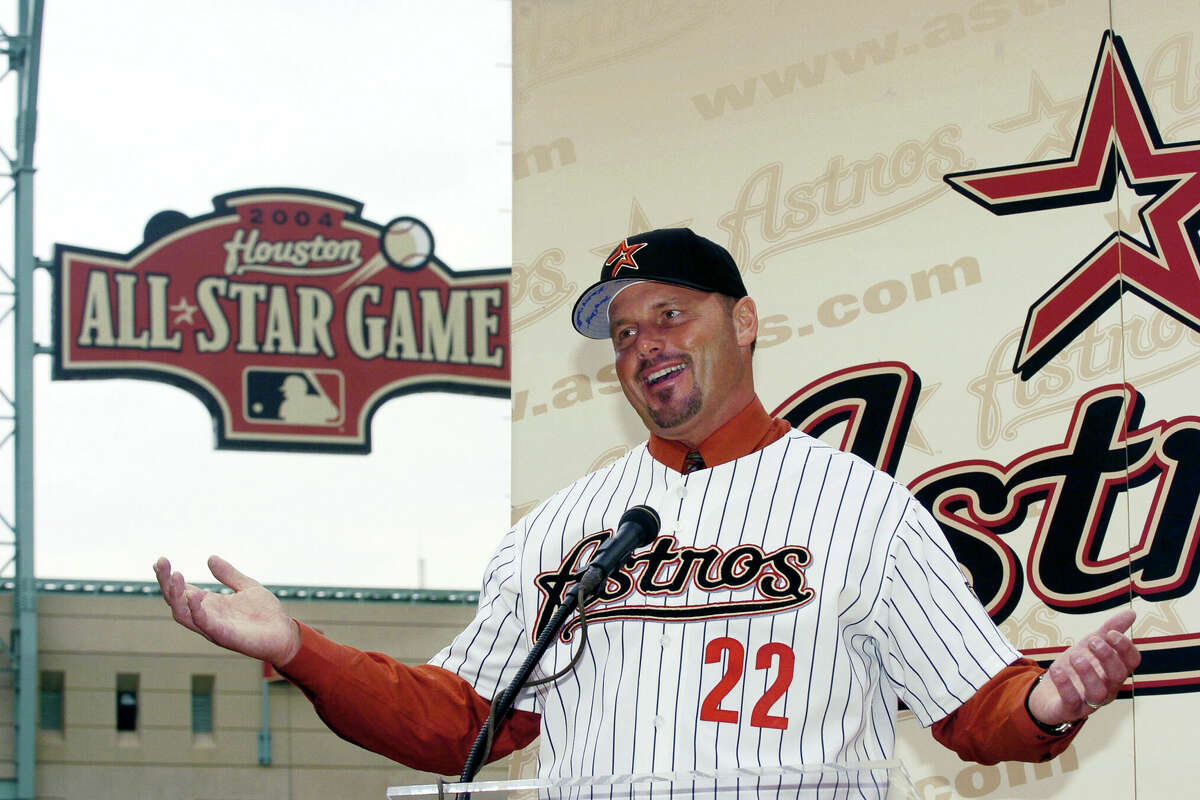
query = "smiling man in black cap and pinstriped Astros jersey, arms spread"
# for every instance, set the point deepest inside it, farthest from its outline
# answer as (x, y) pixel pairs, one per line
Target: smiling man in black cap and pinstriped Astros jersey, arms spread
(794, 596)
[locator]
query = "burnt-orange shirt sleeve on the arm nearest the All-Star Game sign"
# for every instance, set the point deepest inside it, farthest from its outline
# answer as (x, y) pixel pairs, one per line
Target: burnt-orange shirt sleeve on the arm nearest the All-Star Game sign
(425, 718)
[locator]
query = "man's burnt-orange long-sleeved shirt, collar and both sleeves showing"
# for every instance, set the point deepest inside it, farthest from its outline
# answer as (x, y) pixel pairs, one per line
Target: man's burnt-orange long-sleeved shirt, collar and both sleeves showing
(428, 718)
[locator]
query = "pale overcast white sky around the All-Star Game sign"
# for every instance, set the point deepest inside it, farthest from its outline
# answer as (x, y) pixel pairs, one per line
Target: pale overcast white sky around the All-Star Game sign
(152, 105)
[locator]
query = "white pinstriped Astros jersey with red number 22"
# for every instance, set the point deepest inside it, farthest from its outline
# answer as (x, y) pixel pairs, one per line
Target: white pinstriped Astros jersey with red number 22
(793, 597)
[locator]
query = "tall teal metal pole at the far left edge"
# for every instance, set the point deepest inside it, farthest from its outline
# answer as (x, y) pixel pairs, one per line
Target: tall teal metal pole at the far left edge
(25, 636)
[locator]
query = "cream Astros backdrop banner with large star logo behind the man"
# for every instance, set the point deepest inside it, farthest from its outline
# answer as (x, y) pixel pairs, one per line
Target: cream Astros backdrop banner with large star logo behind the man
(973, 232)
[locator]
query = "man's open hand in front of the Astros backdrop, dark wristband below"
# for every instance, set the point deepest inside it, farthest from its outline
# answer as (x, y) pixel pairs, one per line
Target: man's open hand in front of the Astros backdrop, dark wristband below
(1089, 675)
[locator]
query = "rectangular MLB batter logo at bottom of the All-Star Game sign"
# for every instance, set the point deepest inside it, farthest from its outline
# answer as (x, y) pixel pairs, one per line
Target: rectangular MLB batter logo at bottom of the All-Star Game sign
(310, 398)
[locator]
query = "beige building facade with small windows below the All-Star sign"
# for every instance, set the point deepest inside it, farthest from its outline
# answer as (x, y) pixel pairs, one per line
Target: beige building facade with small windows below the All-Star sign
(134, 706)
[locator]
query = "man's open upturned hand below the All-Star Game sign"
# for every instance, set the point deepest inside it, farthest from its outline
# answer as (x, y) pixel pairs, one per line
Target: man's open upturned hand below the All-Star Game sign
(251, 621)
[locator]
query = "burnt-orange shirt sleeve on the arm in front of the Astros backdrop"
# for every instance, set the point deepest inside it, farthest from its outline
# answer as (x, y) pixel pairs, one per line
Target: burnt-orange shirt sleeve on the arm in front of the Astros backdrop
(995, 725)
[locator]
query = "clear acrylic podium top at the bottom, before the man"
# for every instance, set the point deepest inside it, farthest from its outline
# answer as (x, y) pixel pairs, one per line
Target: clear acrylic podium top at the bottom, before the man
(880, 780)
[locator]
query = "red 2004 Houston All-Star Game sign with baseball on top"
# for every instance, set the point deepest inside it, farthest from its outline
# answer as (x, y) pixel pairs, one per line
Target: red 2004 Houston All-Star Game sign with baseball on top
(291, 316)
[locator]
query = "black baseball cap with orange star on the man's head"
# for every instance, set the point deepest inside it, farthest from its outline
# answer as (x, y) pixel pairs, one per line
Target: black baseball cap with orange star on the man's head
(676, 256)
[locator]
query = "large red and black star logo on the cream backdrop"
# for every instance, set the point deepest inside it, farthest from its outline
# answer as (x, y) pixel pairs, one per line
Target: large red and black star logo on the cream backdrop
(1118, 136)
